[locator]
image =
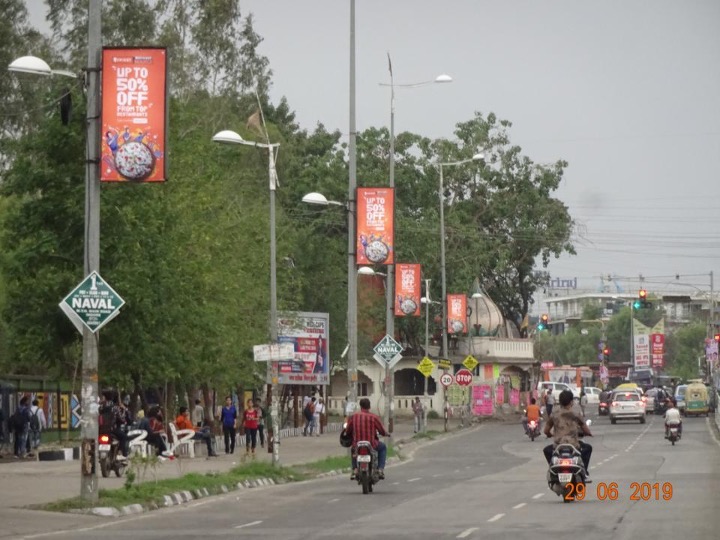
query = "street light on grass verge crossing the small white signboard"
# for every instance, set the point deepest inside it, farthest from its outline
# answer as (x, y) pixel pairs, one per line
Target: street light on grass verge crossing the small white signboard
(231, 137)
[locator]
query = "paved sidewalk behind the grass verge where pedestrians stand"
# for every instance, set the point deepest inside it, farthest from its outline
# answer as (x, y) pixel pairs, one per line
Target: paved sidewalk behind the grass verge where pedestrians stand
(24, 483)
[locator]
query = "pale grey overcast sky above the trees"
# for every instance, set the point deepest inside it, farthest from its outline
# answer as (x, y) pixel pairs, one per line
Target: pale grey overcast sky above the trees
(626, 91)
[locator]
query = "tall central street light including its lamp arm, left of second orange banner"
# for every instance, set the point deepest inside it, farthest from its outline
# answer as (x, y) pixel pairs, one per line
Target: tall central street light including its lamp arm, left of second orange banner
(320, 199)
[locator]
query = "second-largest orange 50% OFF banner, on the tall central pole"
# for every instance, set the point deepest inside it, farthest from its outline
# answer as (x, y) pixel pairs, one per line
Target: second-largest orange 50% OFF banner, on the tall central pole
(375, 226)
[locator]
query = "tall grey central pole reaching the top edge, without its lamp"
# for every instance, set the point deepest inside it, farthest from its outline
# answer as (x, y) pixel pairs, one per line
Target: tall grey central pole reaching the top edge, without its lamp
(352, 278)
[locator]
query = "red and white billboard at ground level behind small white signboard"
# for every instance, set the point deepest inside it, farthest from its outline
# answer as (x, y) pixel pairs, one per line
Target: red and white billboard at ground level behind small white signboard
(309, 335)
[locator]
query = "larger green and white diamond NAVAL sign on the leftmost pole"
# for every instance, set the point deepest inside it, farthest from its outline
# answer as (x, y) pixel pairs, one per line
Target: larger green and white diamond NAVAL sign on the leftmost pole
(92, 304)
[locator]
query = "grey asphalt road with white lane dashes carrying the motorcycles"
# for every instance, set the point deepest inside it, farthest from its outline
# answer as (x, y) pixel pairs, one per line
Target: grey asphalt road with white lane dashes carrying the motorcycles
(486, 482)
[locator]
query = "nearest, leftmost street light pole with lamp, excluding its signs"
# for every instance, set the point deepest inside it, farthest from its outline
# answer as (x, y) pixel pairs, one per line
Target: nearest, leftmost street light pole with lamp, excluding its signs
(37, 66)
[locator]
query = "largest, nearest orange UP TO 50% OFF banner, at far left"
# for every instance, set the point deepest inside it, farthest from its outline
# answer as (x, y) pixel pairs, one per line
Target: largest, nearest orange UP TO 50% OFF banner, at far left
(134, 115)
